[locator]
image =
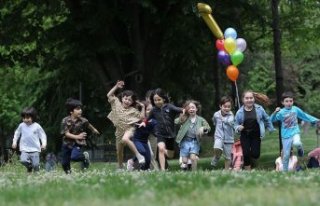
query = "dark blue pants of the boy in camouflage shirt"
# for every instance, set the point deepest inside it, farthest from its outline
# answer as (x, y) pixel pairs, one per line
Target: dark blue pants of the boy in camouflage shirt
(71, 153)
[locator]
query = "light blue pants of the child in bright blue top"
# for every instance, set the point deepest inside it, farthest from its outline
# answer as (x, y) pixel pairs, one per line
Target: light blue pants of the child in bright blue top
(286, 149)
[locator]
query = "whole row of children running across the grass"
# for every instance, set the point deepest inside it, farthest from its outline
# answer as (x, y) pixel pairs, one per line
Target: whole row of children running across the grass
(148, 129)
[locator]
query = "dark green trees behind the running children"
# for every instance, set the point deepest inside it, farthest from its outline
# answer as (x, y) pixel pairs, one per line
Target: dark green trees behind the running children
(52, 50)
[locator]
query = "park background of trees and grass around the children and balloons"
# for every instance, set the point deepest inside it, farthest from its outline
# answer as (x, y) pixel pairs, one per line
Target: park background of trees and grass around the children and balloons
(52, 50)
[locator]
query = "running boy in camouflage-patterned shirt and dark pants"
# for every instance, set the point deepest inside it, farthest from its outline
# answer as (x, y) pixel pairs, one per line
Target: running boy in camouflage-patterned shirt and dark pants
(74, 129)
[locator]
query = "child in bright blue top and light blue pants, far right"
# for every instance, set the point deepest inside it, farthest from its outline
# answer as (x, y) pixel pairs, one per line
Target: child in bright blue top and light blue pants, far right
(290, 132)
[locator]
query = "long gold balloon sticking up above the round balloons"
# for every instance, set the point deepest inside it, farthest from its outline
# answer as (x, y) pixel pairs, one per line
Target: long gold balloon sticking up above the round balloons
(205, 12)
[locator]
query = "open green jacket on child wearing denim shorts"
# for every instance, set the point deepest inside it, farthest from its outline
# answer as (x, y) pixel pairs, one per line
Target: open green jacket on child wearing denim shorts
(184, 126)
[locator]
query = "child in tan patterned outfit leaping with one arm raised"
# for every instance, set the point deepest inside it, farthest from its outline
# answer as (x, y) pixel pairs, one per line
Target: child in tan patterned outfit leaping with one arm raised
(124, 115)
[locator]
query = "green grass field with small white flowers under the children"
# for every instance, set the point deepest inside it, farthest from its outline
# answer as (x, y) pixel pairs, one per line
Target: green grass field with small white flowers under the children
(102, 185)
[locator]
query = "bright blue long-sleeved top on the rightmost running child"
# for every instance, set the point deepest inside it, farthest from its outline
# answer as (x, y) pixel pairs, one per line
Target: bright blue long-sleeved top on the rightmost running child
(289, 120)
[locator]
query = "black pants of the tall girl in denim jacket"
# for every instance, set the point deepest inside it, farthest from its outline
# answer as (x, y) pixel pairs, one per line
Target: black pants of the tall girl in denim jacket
(251, 144)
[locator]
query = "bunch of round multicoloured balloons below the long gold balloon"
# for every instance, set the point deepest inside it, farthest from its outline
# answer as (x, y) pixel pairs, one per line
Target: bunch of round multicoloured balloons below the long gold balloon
(230, 52)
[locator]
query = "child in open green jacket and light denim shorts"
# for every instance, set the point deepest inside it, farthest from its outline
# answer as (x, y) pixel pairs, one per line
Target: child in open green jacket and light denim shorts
(192, 128)
